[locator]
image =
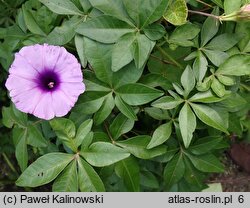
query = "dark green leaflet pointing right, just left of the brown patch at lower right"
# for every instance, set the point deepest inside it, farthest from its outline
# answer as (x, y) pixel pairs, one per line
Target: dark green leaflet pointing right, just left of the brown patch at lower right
(206, 163)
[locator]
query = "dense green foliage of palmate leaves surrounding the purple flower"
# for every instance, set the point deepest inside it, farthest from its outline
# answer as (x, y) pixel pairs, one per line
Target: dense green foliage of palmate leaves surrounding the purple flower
(166, 91)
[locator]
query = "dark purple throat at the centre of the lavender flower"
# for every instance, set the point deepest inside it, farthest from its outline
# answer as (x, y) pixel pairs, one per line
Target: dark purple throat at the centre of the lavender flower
(48, 80)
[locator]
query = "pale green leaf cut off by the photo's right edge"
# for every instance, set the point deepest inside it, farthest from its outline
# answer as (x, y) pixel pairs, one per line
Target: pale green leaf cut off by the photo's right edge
(237, 65)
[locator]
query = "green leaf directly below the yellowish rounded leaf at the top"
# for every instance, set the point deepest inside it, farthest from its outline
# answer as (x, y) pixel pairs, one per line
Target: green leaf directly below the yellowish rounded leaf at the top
(183, 35)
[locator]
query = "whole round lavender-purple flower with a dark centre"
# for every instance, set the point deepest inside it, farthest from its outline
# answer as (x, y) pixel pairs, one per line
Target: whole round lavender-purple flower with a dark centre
(45, 81)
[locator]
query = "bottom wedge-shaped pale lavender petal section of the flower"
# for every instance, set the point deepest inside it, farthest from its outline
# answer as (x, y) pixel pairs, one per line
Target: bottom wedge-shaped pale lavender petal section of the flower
(43, 109)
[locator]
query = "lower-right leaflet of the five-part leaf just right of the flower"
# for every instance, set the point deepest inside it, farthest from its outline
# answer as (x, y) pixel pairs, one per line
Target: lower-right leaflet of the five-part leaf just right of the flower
(125, 109)
